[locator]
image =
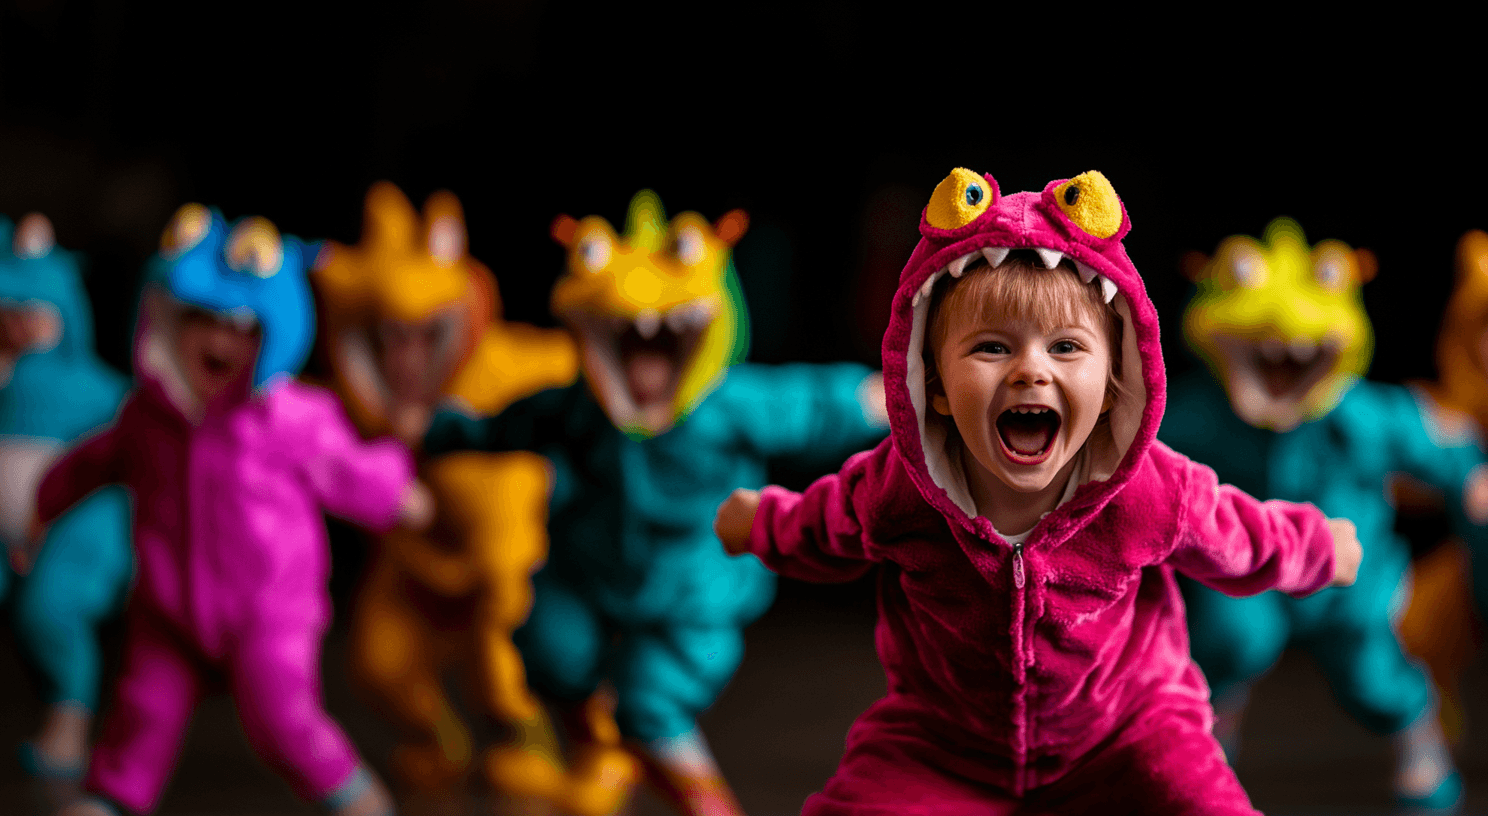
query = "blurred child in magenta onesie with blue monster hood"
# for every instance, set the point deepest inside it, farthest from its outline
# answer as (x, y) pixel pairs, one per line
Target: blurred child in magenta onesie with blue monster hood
(230, 462)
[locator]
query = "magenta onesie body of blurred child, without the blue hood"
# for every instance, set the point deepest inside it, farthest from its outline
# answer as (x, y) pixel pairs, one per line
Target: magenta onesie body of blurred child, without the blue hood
(233, 568)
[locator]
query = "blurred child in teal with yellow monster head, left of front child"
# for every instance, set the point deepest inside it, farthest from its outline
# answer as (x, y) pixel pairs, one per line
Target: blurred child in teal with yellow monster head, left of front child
(663, 428)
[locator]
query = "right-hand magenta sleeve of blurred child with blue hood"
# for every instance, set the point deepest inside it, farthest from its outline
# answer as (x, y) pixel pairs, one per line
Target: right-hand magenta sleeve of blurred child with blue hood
(352, 479)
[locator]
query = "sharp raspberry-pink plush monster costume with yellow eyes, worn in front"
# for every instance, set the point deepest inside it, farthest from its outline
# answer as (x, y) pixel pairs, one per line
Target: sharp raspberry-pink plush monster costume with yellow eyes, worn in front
(1051, 674)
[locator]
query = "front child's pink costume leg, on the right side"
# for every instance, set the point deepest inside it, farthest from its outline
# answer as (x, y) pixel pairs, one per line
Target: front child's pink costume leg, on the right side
(1166, 762)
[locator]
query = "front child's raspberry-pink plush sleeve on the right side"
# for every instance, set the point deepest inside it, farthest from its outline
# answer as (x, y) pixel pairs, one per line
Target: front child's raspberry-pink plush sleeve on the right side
(1240, 546)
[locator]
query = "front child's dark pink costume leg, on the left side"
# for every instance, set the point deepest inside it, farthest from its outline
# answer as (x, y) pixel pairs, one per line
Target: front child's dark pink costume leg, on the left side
(891, 769)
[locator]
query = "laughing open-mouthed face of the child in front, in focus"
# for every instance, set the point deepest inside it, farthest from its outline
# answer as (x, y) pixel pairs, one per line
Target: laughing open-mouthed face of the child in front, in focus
(1023, 395)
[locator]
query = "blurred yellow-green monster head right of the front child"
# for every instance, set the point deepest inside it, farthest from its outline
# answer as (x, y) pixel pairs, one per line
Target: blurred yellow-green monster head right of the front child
(1280, 324)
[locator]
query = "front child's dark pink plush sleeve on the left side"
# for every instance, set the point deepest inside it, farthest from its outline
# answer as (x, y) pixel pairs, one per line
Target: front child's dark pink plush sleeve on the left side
(812, 537)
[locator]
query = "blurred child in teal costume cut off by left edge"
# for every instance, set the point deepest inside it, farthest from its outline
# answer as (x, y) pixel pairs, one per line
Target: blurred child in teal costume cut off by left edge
(54, 389)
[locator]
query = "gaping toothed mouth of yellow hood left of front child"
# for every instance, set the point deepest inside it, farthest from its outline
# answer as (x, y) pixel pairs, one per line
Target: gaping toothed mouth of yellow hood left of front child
(638, 364)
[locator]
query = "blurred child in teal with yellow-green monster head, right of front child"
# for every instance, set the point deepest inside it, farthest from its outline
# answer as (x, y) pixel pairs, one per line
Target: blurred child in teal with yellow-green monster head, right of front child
(1283, 330)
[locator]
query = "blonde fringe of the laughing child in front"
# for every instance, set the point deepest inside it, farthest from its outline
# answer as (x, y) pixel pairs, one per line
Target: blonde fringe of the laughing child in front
(1019, 288)
